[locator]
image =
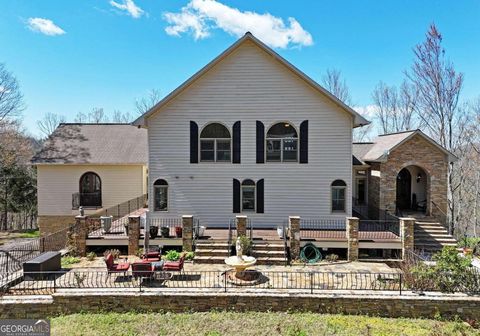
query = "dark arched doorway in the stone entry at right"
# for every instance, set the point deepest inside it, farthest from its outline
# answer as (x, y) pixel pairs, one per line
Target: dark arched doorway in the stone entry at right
(412, 193)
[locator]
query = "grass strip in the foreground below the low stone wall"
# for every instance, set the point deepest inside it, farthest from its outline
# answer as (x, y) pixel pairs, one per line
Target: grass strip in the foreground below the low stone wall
(251, 323)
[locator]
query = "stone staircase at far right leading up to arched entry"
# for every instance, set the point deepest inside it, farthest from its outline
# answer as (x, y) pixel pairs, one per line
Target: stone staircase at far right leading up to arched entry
(431, 236)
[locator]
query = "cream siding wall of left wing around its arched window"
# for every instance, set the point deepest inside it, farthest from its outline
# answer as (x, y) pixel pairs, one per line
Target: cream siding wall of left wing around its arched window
(57, 183)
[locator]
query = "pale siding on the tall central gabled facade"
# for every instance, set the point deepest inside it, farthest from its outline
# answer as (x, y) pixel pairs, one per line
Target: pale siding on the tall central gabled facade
(246, 86)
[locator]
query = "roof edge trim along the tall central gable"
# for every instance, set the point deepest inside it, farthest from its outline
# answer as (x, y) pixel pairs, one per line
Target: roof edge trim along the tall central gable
(358, 119)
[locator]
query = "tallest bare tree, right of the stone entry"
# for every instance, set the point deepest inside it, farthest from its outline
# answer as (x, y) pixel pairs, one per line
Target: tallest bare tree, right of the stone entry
(439, 86)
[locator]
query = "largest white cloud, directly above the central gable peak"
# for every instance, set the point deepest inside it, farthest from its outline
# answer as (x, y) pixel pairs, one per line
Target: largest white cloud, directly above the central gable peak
(199, 17)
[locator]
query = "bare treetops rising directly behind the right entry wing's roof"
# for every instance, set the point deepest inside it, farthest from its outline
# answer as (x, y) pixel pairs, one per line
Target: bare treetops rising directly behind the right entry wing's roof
(395, 108)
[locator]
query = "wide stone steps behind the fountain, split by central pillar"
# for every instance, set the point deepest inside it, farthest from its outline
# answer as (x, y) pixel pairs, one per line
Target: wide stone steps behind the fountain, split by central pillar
(215, 252)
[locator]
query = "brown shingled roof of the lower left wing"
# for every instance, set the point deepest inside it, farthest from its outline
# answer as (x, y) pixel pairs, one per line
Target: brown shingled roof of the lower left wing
(94, 144)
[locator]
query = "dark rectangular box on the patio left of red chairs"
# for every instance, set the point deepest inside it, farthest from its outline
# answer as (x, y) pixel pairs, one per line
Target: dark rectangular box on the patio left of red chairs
(44, 263)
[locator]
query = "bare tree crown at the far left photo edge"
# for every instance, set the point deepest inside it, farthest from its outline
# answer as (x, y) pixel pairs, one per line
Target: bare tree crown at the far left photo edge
(11, 99)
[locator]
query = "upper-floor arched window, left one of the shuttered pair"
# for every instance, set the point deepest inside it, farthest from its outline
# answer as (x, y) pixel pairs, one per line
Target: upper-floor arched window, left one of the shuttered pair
(215, 143)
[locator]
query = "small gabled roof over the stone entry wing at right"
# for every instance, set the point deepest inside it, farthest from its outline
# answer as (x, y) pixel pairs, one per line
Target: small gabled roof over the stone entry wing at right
(381, 147)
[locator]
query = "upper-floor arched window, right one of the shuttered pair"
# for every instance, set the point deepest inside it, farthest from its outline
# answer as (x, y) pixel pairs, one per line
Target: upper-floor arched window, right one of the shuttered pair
(282, 143)
